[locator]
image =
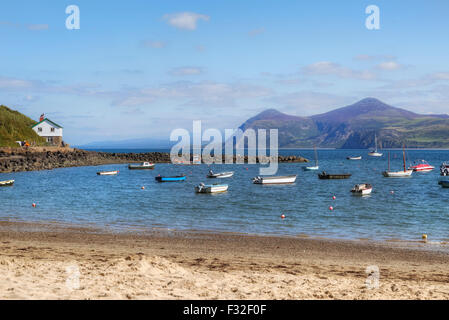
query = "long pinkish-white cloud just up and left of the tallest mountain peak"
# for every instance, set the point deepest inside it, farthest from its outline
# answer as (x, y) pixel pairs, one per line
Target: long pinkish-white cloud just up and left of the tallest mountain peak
(334, 69)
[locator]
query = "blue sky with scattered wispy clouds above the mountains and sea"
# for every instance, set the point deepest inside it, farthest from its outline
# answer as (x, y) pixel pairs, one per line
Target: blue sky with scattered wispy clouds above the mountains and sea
(139, 69)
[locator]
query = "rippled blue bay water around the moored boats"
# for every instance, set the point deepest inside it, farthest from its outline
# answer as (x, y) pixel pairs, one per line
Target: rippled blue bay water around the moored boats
(77, 195)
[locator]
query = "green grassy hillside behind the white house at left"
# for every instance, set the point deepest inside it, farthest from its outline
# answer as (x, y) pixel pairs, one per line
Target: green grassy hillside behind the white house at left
(15, 126)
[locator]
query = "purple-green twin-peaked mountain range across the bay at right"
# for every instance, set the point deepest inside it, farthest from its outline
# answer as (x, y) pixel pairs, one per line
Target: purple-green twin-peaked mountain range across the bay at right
(355, 127)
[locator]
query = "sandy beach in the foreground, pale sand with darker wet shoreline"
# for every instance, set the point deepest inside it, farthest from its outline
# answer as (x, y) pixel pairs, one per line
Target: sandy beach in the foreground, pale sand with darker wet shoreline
(60, 262)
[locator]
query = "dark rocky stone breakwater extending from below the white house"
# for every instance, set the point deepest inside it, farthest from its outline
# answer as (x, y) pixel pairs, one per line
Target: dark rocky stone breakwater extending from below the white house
(31, 160)
